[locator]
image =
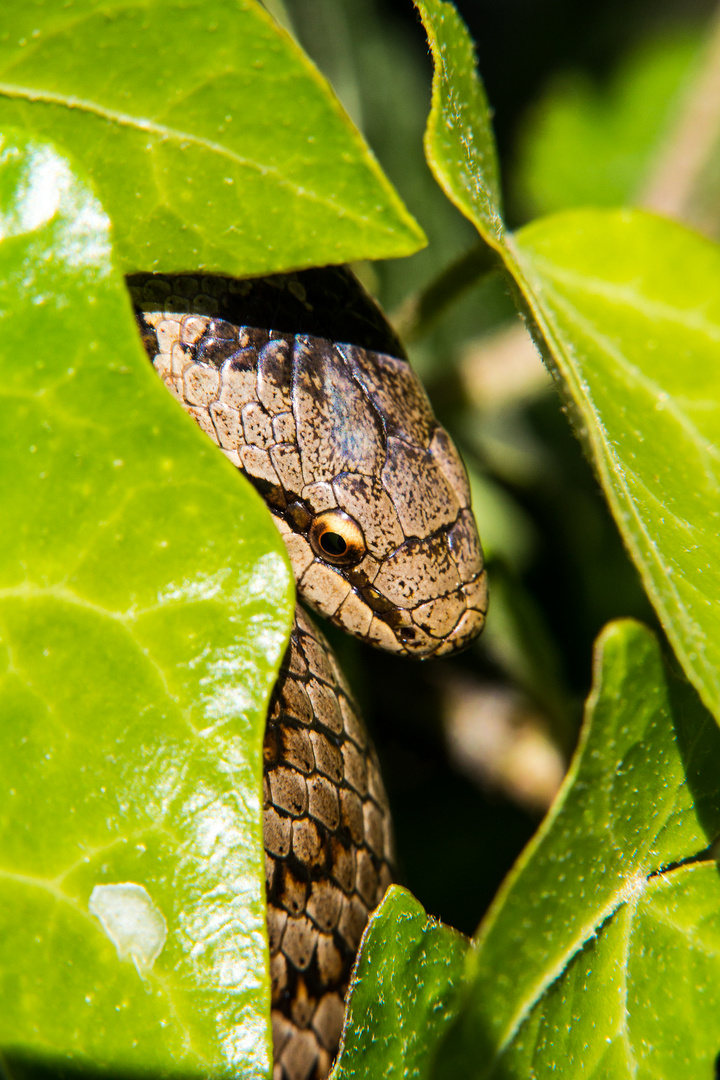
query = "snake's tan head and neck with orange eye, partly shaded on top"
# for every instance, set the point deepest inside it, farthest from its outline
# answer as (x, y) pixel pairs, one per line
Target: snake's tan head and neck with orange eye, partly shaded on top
(365, 487)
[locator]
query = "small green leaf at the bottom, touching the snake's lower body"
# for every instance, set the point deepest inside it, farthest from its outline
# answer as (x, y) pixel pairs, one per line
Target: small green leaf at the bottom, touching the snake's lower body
(404, 994)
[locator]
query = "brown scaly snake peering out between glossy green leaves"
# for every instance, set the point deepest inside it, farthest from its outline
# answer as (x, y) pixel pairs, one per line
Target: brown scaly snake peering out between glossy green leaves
(302, 383)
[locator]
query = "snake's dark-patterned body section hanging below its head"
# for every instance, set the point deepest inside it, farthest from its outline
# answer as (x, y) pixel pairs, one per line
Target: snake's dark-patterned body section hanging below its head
(329, 852)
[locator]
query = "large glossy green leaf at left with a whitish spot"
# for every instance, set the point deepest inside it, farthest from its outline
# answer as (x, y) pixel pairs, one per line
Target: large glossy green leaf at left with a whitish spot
(145, 598)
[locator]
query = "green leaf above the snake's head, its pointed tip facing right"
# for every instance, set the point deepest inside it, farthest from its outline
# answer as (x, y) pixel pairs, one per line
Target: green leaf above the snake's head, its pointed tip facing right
(213, 142)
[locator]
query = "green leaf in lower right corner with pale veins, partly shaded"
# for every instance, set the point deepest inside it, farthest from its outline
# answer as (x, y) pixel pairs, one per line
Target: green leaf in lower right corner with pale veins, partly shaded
(601, 955)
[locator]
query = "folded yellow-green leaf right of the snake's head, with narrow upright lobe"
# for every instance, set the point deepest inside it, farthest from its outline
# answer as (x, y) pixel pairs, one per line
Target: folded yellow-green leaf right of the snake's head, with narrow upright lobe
(626, 307)
